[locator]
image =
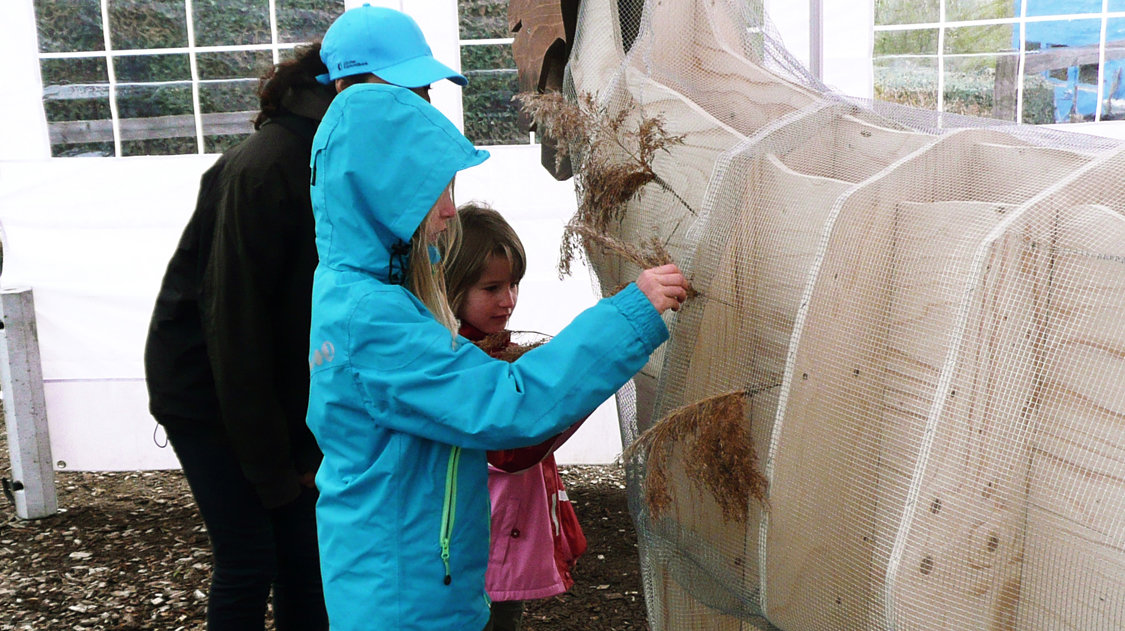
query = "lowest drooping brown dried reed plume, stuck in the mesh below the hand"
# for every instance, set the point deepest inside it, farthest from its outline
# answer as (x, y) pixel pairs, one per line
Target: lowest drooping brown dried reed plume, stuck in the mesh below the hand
(718, 455)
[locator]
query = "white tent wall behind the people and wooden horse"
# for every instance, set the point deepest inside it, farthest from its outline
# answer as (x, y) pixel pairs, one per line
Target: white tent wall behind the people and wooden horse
(93, 237)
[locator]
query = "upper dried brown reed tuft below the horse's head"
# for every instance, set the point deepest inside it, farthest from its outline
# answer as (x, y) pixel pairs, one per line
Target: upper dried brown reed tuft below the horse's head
(613, 156)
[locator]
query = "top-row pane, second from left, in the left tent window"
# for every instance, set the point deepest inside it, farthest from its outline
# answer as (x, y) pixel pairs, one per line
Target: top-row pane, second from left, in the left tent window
(143, 24)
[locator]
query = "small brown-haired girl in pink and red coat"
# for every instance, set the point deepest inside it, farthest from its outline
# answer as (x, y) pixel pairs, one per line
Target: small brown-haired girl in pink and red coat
(536, 538)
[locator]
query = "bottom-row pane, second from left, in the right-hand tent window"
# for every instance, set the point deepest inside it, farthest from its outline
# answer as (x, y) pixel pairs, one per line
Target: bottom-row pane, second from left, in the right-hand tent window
(982, 86)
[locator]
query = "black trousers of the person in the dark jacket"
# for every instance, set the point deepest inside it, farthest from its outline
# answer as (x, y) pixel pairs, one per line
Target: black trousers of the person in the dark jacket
(256, 551)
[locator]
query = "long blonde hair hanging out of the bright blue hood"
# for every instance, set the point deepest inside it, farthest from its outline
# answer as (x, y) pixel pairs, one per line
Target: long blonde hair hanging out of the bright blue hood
(427, 280)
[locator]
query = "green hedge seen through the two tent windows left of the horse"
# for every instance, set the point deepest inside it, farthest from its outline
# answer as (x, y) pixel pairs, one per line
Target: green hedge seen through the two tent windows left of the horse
(150, 86)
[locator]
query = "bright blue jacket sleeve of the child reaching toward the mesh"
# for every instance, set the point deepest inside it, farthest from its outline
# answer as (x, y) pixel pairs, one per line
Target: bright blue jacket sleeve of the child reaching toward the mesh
(413, 380)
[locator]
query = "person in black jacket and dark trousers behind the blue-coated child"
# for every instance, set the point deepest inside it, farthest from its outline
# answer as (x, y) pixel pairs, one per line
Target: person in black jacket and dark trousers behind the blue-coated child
(227, 367)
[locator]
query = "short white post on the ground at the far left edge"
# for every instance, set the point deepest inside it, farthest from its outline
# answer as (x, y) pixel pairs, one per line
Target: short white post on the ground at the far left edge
(25, 408)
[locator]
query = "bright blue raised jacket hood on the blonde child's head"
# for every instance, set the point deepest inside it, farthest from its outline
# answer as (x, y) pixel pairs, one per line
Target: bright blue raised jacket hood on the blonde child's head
(381, 158)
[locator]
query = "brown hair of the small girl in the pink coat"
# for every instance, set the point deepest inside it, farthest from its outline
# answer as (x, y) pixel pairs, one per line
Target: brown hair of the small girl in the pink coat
(484, 233)
